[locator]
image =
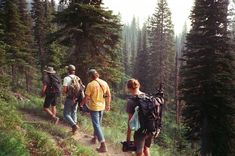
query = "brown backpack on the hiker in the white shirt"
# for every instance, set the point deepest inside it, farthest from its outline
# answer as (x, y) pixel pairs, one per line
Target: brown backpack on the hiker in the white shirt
(76, 88)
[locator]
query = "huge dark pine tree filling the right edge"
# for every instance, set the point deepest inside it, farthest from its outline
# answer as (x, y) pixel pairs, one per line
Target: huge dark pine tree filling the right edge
(208, 79)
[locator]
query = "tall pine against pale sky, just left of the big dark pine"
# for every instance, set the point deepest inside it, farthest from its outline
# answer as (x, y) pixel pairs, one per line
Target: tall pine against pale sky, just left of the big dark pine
(162, 53)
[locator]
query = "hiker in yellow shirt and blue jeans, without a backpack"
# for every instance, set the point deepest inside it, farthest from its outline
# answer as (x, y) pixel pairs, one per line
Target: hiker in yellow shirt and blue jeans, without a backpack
(97, 99)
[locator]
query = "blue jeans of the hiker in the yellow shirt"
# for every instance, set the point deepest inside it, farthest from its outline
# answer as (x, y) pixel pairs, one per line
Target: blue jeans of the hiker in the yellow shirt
(96, 117)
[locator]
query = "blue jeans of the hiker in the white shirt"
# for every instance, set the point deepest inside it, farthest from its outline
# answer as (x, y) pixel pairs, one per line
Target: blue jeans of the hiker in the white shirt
(70, 111)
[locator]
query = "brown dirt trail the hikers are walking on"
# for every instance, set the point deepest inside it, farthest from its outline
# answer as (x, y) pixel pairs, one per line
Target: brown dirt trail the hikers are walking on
(80, 136)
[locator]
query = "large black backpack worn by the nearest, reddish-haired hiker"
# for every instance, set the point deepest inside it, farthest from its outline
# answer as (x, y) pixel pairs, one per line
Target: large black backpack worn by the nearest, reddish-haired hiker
(150, 109)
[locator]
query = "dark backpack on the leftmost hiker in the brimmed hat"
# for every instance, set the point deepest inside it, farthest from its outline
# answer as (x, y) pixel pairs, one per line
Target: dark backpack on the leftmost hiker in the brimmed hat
(55, 84)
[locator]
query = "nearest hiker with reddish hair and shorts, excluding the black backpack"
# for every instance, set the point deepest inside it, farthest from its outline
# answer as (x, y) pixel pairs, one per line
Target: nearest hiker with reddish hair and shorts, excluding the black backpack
(142, 141)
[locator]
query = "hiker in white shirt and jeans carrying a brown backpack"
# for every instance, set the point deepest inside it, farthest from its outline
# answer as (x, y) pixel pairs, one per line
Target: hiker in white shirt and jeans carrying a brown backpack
(72, 87)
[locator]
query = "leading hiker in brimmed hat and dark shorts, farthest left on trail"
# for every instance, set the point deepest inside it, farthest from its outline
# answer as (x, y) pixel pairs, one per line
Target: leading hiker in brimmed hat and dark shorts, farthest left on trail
(51, 91)
